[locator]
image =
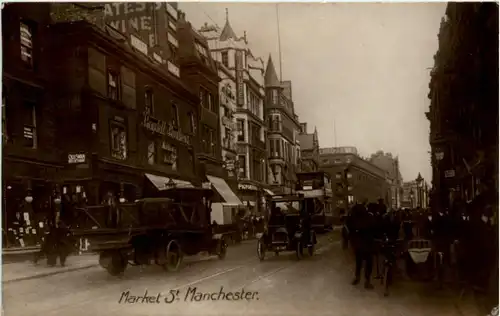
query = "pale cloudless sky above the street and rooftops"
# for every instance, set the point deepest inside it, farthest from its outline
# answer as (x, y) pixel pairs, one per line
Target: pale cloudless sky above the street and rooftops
(361, 67)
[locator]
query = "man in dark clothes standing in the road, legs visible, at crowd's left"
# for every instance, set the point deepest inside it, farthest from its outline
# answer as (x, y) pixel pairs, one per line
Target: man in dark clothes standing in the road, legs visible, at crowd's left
(361, 228)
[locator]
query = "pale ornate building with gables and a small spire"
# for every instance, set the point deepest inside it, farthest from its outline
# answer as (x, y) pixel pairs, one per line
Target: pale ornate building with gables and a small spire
(234, 56)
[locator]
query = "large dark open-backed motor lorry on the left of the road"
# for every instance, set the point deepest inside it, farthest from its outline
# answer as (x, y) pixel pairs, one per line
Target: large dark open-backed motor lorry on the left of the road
(159, 230)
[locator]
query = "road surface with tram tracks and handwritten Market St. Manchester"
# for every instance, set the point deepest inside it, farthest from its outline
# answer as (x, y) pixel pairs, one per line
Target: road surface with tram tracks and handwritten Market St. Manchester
(279, 285)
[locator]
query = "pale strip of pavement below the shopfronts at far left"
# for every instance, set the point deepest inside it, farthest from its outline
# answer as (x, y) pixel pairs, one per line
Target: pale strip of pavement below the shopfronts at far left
(19, 271)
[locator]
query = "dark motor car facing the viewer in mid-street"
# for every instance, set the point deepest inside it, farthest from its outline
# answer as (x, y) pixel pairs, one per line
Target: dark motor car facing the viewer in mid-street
(288, 229)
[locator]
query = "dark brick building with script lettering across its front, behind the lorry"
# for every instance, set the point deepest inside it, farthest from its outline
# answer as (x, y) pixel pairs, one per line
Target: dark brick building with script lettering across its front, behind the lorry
(121, 115)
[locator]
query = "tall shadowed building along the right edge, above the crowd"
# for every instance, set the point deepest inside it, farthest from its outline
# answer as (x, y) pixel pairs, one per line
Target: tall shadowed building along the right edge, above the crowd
(463, 114)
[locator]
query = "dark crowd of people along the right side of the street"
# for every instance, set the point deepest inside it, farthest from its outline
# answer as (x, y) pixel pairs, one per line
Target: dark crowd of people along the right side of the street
(465, 234)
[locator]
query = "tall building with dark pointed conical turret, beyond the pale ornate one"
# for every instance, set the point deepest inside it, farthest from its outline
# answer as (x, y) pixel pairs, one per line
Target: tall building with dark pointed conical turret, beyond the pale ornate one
(283, 130)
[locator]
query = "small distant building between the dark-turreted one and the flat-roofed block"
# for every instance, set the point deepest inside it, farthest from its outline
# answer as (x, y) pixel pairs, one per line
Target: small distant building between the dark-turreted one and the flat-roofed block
(309, 150)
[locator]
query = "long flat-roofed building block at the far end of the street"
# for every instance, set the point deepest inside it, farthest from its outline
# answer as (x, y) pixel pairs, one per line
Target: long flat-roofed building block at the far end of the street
(353, 179)
